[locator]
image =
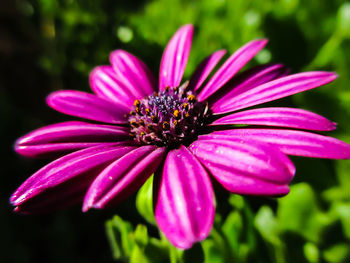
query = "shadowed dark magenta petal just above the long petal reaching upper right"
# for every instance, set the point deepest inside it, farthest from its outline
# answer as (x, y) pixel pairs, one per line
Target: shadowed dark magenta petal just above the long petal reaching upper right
(245, 81)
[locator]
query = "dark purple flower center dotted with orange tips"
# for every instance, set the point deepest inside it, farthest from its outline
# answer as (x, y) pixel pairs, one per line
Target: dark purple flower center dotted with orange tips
(169, 118)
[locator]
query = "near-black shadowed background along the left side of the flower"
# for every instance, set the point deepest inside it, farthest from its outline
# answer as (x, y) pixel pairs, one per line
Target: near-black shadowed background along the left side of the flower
(67, 236)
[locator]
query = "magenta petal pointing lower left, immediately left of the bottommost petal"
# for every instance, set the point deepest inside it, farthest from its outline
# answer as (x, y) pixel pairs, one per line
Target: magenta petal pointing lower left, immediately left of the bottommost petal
(123, 177)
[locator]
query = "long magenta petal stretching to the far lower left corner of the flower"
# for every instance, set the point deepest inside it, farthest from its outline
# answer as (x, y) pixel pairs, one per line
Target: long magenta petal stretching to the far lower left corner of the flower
(66, 168)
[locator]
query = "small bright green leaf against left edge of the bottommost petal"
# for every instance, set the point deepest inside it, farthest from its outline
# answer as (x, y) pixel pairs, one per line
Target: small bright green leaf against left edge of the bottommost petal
(144, 201)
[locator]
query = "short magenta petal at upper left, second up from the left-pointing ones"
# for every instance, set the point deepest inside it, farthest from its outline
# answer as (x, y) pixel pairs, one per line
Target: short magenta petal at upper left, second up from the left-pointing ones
(105, 84)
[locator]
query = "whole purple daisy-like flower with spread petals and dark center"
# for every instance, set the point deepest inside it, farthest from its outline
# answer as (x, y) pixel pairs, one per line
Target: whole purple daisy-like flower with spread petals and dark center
(186, 134)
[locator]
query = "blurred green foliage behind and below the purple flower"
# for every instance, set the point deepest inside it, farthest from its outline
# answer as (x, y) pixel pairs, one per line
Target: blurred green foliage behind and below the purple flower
(312, 223)
